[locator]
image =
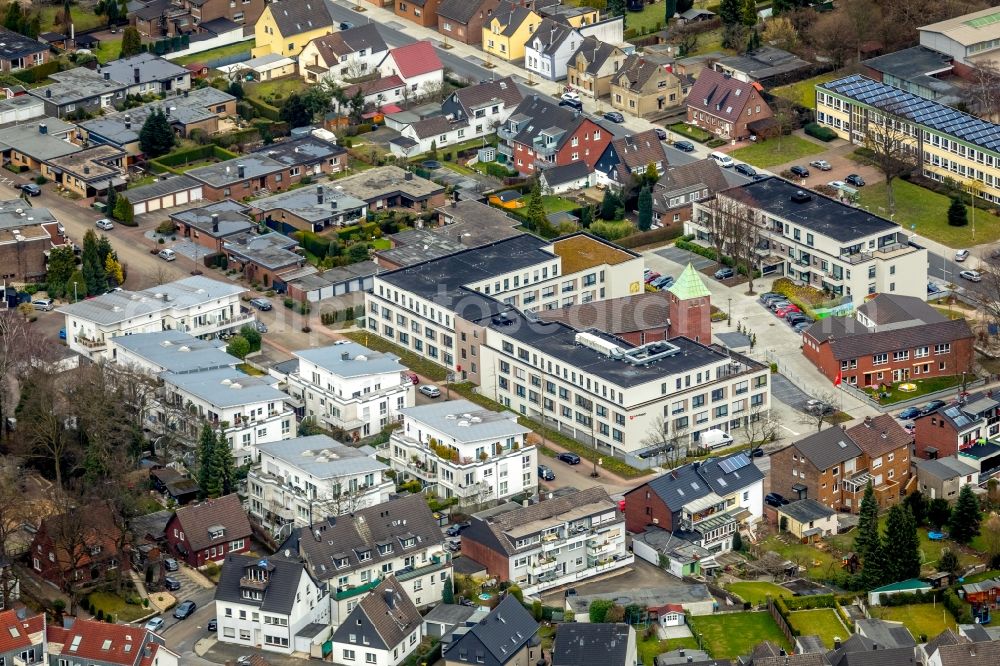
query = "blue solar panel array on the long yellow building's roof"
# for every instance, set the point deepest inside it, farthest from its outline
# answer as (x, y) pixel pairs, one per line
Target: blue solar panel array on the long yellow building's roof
(923, 111)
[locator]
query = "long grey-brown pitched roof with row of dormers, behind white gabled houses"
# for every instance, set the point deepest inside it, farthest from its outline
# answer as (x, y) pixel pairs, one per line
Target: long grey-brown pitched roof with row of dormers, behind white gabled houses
(343, 537)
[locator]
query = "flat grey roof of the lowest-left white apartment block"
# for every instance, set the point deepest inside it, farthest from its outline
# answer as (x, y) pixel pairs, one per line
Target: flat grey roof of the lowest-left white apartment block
(323, 457)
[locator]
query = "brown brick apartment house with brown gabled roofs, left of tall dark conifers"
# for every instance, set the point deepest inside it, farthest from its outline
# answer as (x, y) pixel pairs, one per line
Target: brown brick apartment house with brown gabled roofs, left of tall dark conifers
(835, 465)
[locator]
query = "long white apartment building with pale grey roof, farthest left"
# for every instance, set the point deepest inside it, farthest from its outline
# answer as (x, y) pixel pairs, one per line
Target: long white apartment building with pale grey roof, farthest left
(197, 305)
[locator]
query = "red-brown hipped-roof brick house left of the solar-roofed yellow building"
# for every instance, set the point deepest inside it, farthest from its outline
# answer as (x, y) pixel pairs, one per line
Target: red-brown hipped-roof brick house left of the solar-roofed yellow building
(722, 105)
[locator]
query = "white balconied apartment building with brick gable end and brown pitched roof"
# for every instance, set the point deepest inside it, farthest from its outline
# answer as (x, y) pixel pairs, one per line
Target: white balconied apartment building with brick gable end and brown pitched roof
(562, 540)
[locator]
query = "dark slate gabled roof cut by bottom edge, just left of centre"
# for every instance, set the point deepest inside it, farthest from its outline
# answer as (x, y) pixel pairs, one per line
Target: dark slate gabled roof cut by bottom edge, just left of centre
(495, 640)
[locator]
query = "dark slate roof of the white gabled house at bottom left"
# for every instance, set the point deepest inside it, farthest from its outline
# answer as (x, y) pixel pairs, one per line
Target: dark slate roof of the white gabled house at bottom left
(282, 583)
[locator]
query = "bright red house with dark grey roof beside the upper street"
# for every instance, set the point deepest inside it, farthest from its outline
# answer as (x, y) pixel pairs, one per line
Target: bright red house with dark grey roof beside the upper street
(541, 134)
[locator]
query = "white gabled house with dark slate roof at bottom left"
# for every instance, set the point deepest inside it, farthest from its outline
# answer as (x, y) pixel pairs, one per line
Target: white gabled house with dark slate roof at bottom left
(272, 604)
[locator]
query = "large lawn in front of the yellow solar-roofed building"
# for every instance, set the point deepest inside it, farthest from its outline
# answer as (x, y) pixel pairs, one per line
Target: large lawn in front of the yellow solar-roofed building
(928, 212)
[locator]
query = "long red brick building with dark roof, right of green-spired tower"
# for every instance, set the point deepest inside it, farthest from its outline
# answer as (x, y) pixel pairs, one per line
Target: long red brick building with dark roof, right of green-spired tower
(891, 339)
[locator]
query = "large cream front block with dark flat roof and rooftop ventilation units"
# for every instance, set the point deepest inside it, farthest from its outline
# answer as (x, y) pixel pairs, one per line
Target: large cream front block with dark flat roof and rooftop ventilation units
(594, 386)
